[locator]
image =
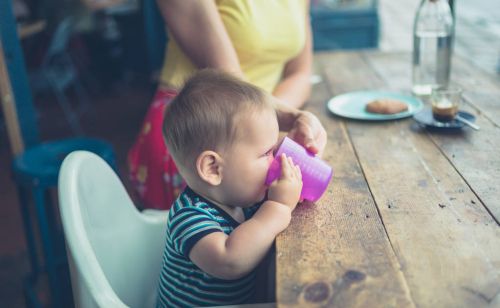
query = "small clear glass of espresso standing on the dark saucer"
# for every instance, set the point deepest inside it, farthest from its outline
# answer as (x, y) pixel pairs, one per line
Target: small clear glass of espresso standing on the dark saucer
(445, 103)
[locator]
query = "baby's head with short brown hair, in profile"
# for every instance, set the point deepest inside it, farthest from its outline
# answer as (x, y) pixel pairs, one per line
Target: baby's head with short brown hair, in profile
(221, 132)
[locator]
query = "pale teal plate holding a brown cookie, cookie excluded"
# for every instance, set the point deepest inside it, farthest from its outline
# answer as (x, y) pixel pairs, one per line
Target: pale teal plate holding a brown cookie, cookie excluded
(352, 105)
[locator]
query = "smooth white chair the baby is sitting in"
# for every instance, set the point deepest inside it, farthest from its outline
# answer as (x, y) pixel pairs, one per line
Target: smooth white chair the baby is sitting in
(114, 251)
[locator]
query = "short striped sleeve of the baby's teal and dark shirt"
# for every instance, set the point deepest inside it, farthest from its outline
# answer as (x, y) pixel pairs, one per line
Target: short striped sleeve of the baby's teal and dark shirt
(188, 226)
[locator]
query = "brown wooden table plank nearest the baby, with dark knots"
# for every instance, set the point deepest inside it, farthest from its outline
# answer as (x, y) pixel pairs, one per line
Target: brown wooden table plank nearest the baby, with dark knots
(336, 252)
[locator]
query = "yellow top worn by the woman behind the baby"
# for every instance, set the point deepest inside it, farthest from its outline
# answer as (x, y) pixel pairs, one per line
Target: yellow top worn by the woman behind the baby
(265, 33)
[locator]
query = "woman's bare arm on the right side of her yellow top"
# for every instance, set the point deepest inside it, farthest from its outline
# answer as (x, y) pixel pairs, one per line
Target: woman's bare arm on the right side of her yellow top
(295, 87)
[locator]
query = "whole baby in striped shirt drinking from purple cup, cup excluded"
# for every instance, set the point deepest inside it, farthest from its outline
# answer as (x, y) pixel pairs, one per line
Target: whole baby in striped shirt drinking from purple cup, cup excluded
(222, 132)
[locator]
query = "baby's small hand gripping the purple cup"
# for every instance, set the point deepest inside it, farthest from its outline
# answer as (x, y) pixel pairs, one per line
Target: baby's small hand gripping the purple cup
(287, 188)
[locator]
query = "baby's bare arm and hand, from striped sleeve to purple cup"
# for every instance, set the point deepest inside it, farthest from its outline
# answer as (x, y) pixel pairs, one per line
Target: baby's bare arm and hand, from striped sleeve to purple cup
(233, 256)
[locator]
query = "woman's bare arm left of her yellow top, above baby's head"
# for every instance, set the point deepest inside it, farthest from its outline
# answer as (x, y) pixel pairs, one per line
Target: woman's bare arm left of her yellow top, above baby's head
(200, 33)
